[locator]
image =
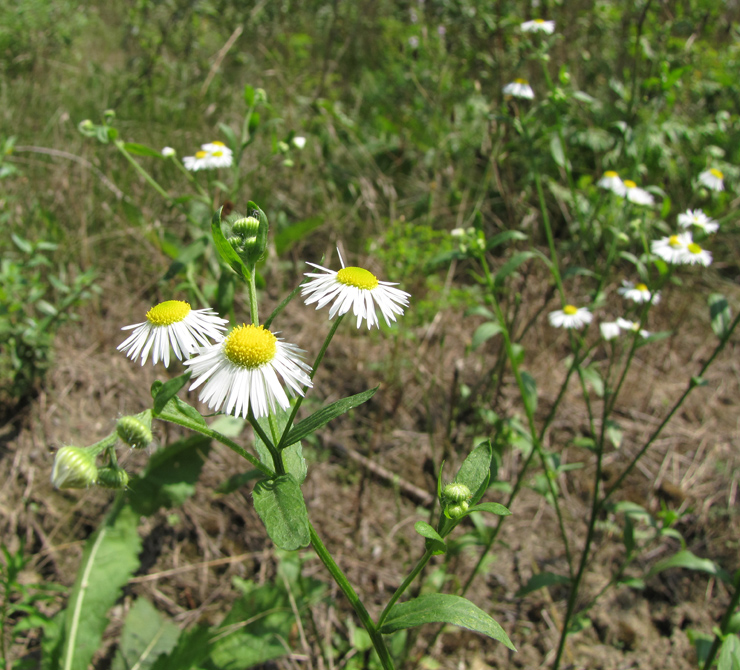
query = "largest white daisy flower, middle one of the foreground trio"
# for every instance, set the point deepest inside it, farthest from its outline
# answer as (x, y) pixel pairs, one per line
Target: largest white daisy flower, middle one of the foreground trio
(241, 372)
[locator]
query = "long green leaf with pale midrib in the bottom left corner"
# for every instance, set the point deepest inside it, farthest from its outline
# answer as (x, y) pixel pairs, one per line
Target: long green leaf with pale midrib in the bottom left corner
(110, 557)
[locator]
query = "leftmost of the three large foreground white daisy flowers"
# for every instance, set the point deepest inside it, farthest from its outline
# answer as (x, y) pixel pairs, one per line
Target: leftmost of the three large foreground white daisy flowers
(172, 323)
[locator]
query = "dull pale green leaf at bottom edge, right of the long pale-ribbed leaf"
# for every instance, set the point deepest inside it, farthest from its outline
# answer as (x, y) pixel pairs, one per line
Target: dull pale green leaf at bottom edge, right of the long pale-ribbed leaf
(146, 635)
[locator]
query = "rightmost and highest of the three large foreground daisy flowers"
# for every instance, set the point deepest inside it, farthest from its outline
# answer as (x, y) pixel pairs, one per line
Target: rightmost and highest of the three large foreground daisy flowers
(355, 288)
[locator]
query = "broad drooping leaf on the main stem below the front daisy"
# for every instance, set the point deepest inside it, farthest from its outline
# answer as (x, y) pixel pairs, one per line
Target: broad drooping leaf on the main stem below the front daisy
(279, 503)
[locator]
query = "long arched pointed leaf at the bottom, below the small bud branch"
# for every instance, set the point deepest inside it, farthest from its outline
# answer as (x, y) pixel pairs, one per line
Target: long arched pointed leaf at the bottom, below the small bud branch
(444, 608)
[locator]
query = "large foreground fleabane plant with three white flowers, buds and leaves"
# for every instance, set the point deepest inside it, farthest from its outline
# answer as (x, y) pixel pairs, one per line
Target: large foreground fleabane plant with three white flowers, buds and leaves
(250, 372)
